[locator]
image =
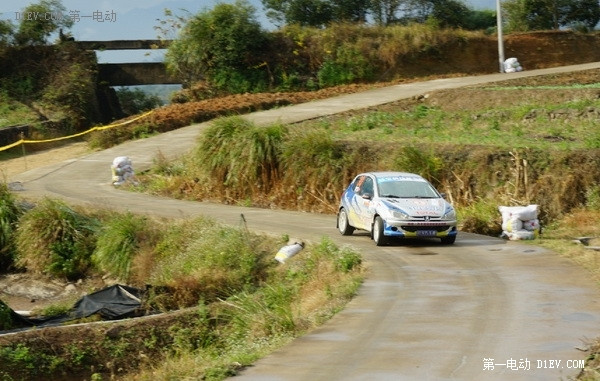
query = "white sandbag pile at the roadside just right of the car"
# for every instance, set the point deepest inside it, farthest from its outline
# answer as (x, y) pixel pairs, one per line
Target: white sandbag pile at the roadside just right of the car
(520, 222)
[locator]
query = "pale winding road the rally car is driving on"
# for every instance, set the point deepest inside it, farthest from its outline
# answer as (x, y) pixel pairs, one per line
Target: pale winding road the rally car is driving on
(482, 309)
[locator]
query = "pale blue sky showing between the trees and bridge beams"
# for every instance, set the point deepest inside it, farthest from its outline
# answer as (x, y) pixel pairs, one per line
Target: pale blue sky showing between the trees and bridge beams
(135, 19)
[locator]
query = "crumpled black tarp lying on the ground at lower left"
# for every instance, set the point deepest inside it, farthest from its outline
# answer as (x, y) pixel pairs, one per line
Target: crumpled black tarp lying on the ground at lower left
(111, 303)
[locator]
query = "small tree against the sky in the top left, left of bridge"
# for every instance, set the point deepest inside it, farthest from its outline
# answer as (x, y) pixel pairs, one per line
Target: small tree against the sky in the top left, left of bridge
(39, 21)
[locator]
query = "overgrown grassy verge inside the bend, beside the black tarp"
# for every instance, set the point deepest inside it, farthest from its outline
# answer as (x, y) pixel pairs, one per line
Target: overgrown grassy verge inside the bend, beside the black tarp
(234, 302)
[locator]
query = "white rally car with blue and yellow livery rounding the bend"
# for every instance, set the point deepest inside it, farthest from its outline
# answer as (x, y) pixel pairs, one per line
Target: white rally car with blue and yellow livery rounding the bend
(395, 204)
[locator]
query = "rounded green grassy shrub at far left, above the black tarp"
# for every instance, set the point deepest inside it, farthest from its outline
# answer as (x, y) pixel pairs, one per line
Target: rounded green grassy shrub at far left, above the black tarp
(55, 239)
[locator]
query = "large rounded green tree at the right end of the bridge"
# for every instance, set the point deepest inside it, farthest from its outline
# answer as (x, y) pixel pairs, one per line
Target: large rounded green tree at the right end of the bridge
(224, 46)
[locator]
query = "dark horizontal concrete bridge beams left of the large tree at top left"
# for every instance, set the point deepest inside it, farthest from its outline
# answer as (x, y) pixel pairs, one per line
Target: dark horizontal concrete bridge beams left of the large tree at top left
(130, 74)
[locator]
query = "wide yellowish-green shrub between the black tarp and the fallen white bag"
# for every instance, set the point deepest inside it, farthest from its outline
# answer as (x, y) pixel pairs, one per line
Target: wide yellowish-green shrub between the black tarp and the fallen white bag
(200, 259)
